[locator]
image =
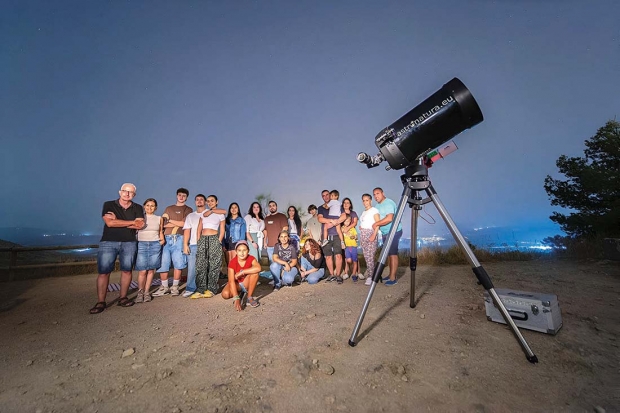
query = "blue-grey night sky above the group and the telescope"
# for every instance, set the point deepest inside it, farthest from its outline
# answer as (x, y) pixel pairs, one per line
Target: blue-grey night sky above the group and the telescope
(239, 98)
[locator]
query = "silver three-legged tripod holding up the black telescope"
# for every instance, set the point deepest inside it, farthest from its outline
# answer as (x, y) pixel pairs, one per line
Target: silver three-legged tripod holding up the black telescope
(416, 180)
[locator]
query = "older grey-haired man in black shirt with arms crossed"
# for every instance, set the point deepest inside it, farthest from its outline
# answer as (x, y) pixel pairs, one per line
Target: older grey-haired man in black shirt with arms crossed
(122, 218)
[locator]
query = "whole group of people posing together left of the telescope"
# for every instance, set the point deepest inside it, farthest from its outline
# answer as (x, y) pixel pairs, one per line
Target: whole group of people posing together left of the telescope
(197, 240)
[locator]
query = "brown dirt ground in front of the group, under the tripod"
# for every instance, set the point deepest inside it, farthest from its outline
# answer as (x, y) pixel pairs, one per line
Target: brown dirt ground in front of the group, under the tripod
(291, 353)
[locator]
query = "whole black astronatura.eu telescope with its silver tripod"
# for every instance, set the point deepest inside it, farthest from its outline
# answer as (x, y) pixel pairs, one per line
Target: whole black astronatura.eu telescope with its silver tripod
(408, 143)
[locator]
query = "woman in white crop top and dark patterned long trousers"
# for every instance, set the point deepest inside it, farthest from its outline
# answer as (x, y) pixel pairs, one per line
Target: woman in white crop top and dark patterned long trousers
(209, 254)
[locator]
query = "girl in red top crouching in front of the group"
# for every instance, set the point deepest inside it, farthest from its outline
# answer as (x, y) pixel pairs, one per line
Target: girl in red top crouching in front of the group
(243, 272)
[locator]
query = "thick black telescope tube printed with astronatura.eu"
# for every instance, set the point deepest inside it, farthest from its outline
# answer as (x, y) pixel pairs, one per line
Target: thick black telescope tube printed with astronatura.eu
(445, 114)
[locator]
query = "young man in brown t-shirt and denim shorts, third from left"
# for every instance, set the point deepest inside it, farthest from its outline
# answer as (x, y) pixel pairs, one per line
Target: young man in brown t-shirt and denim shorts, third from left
(174, 221)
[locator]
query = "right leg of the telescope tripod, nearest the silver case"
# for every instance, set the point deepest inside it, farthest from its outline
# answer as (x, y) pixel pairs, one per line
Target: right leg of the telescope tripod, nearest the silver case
(480, 273)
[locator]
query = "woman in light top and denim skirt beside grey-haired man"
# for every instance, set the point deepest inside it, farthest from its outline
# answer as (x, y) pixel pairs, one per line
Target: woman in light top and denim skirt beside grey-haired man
(150, 241)
